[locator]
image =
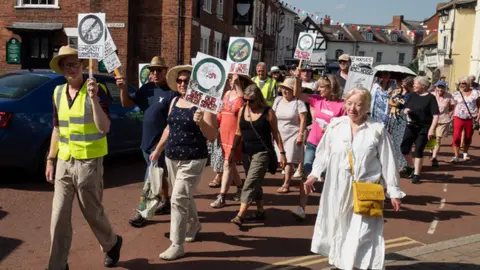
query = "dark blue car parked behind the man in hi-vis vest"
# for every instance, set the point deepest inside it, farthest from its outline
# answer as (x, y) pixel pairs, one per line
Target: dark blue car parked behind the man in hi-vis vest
(26, 119)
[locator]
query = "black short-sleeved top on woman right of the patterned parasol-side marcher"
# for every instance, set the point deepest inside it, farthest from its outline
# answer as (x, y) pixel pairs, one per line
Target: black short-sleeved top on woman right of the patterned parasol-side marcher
(422, 108)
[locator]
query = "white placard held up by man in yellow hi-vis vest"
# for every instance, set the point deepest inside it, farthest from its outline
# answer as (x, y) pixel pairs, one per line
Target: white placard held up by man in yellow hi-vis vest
(91, 35)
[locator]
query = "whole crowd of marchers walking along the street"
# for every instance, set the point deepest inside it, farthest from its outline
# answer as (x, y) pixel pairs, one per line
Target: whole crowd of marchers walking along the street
(356, 144)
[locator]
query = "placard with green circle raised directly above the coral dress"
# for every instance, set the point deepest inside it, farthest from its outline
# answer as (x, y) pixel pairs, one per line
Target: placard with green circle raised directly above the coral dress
(240, 54)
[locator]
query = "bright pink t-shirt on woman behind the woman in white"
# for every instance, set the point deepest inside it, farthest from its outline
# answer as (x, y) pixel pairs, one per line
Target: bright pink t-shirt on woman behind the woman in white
(324, 110)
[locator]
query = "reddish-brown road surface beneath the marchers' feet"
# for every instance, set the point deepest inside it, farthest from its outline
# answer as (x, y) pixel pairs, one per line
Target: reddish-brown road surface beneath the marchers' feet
(443, 207)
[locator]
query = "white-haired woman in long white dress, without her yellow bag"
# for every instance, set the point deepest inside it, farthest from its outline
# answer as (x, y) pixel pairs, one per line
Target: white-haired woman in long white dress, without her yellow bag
(353, 241)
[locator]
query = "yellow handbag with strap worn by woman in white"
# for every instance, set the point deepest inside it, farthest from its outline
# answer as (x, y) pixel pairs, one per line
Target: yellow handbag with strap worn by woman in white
(367, 197)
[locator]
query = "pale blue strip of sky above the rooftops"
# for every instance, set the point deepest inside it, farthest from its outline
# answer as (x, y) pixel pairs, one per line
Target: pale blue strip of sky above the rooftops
(376, 12)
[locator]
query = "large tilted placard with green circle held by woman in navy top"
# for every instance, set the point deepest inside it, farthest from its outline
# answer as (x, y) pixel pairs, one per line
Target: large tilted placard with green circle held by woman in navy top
(207, 82)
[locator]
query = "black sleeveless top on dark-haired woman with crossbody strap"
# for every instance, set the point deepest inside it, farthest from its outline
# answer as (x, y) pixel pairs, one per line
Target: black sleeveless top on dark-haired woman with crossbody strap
(251, 143)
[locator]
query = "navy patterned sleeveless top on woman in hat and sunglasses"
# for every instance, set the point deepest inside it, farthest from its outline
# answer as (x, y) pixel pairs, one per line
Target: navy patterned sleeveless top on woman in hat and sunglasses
(185, 140)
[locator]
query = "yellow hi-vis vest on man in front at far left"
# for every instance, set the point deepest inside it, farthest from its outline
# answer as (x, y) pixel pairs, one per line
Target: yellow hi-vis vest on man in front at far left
(79, 137)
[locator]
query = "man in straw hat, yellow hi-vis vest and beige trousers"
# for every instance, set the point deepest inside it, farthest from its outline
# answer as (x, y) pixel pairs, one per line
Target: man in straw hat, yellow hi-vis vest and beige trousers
(78, 143)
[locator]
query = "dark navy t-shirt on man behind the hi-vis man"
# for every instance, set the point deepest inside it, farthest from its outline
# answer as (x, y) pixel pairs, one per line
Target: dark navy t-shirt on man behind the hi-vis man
(155, 102)
